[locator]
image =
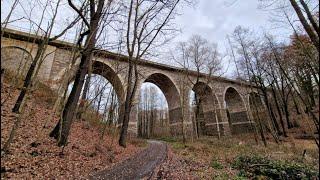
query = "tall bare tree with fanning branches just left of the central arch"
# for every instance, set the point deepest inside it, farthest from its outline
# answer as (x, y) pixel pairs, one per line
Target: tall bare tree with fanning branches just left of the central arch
(146, 22)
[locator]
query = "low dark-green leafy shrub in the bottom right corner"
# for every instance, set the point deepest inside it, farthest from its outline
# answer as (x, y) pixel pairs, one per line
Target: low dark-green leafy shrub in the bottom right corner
(256, 166)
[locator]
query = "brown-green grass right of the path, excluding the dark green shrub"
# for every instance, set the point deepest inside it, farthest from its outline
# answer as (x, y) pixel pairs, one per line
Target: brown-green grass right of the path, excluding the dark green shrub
(224, 152)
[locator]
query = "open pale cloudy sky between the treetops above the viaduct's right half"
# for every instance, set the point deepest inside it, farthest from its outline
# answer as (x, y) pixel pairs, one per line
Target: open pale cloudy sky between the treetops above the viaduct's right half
(215, 19)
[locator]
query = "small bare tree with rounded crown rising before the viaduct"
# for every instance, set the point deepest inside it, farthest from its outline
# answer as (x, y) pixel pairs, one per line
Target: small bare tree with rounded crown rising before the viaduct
(199, 55)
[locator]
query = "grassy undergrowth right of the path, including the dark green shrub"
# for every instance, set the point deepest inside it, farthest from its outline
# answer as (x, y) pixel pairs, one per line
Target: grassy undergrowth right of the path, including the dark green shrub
(226, 156)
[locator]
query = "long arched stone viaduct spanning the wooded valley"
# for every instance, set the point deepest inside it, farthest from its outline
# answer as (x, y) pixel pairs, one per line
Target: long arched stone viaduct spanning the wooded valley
(225, 106)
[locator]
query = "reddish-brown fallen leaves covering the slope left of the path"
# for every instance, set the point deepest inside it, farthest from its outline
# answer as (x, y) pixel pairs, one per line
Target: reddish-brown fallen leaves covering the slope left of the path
(34, 155)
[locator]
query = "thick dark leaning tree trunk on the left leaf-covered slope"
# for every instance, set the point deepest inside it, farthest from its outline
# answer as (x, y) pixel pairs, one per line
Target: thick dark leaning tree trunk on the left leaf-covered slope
(96, 13)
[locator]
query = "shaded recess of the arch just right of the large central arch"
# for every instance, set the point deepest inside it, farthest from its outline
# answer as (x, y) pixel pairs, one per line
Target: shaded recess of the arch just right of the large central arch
(208, 116)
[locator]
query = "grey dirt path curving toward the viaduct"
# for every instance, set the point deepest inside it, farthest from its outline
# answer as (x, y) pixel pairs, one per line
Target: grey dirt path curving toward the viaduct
(139, 166)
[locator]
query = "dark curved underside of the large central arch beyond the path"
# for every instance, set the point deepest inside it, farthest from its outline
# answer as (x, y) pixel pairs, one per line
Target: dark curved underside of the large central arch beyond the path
(172, 95)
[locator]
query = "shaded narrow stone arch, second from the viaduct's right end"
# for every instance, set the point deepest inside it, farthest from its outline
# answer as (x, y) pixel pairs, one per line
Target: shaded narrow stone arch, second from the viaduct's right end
(236, 112)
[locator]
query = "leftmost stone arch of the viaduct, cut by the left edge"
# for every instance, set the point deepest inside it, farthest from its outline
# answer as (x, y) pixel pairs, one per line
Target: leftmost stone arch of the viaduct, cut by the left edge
(16, 59)
